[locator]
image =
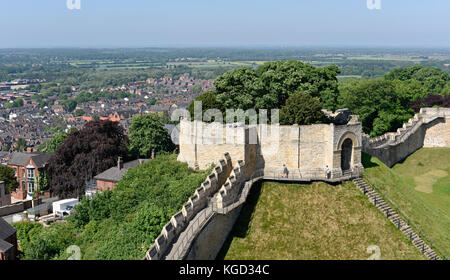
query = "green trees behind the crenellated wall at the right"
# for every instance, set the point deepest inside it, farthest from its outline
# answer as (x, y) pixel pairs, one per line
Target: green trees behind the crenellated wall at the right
(384, 104)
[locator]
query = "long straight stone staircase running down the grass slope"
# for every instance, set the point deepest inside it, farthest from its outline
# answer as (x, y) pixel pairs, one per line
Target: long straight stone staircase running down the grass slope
(393, 216)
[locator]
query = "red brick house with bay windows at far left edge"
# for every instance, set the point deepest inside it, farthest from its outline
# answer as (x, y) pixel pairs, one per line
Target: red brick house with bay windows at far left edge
(27, 167)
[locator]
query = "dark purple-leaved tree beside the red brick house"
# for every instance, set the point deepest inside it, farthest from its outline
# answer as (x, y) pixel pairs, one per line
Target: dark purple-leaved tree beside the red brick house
(84, 154)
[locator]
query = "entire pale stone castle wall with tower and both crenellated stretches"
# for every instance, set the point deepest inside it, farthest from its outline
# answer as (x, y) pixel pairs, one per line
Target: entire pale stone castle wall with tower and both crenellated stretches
(199, 230)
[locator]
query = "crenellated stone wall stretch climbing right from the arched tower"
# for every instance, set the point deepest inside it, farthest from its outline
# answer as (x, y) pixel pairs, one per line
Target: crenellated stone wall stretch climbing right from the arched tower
(429, 128)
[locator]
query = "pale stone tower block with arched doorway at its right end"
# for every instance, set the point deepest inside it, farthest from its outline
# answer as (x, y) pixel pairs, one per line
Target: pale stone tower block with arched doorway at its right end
(306, 150)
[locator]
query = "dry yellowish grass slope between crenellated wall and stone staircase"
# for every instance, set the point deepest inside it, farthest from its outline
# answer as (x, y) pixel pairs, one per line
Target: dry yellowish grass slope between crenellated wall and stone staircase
(316, 221)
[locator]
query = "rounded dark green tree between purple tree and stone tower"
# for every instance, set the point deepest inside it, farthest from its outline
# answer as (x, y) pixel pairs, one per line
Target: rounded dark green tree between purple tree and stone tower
(147, 133)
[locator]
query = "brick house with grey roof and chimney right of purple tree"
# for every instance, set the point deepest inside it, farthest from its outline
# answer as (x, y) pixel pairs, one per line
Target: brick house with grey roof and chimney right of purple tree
(108, 179)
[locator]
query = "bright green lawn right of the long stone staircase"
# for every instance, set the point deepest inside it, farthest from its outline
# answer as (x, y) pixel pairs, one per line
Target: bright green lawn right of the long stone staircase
(420, 186)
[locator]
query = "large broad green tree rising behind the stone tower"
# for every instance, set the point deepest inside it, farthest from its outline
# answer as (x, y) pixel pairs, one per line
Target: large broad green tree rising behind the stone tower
(272, 83)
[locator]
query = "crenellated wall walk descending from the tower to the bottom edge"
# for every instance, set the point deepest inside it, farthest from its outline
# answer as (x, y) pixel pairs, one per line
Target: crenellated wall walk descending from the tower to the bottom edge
(199, 230)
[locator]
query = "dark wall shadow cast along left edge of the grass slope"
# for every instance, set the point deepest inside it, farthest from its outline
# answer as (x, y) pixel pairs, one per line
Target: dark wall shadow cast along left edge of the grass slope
(241, 226)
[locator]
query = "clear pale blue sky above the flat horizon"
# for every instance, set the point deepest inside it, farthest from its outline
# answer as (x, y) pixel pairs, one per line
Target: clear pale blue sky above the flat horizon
(181, 23)
